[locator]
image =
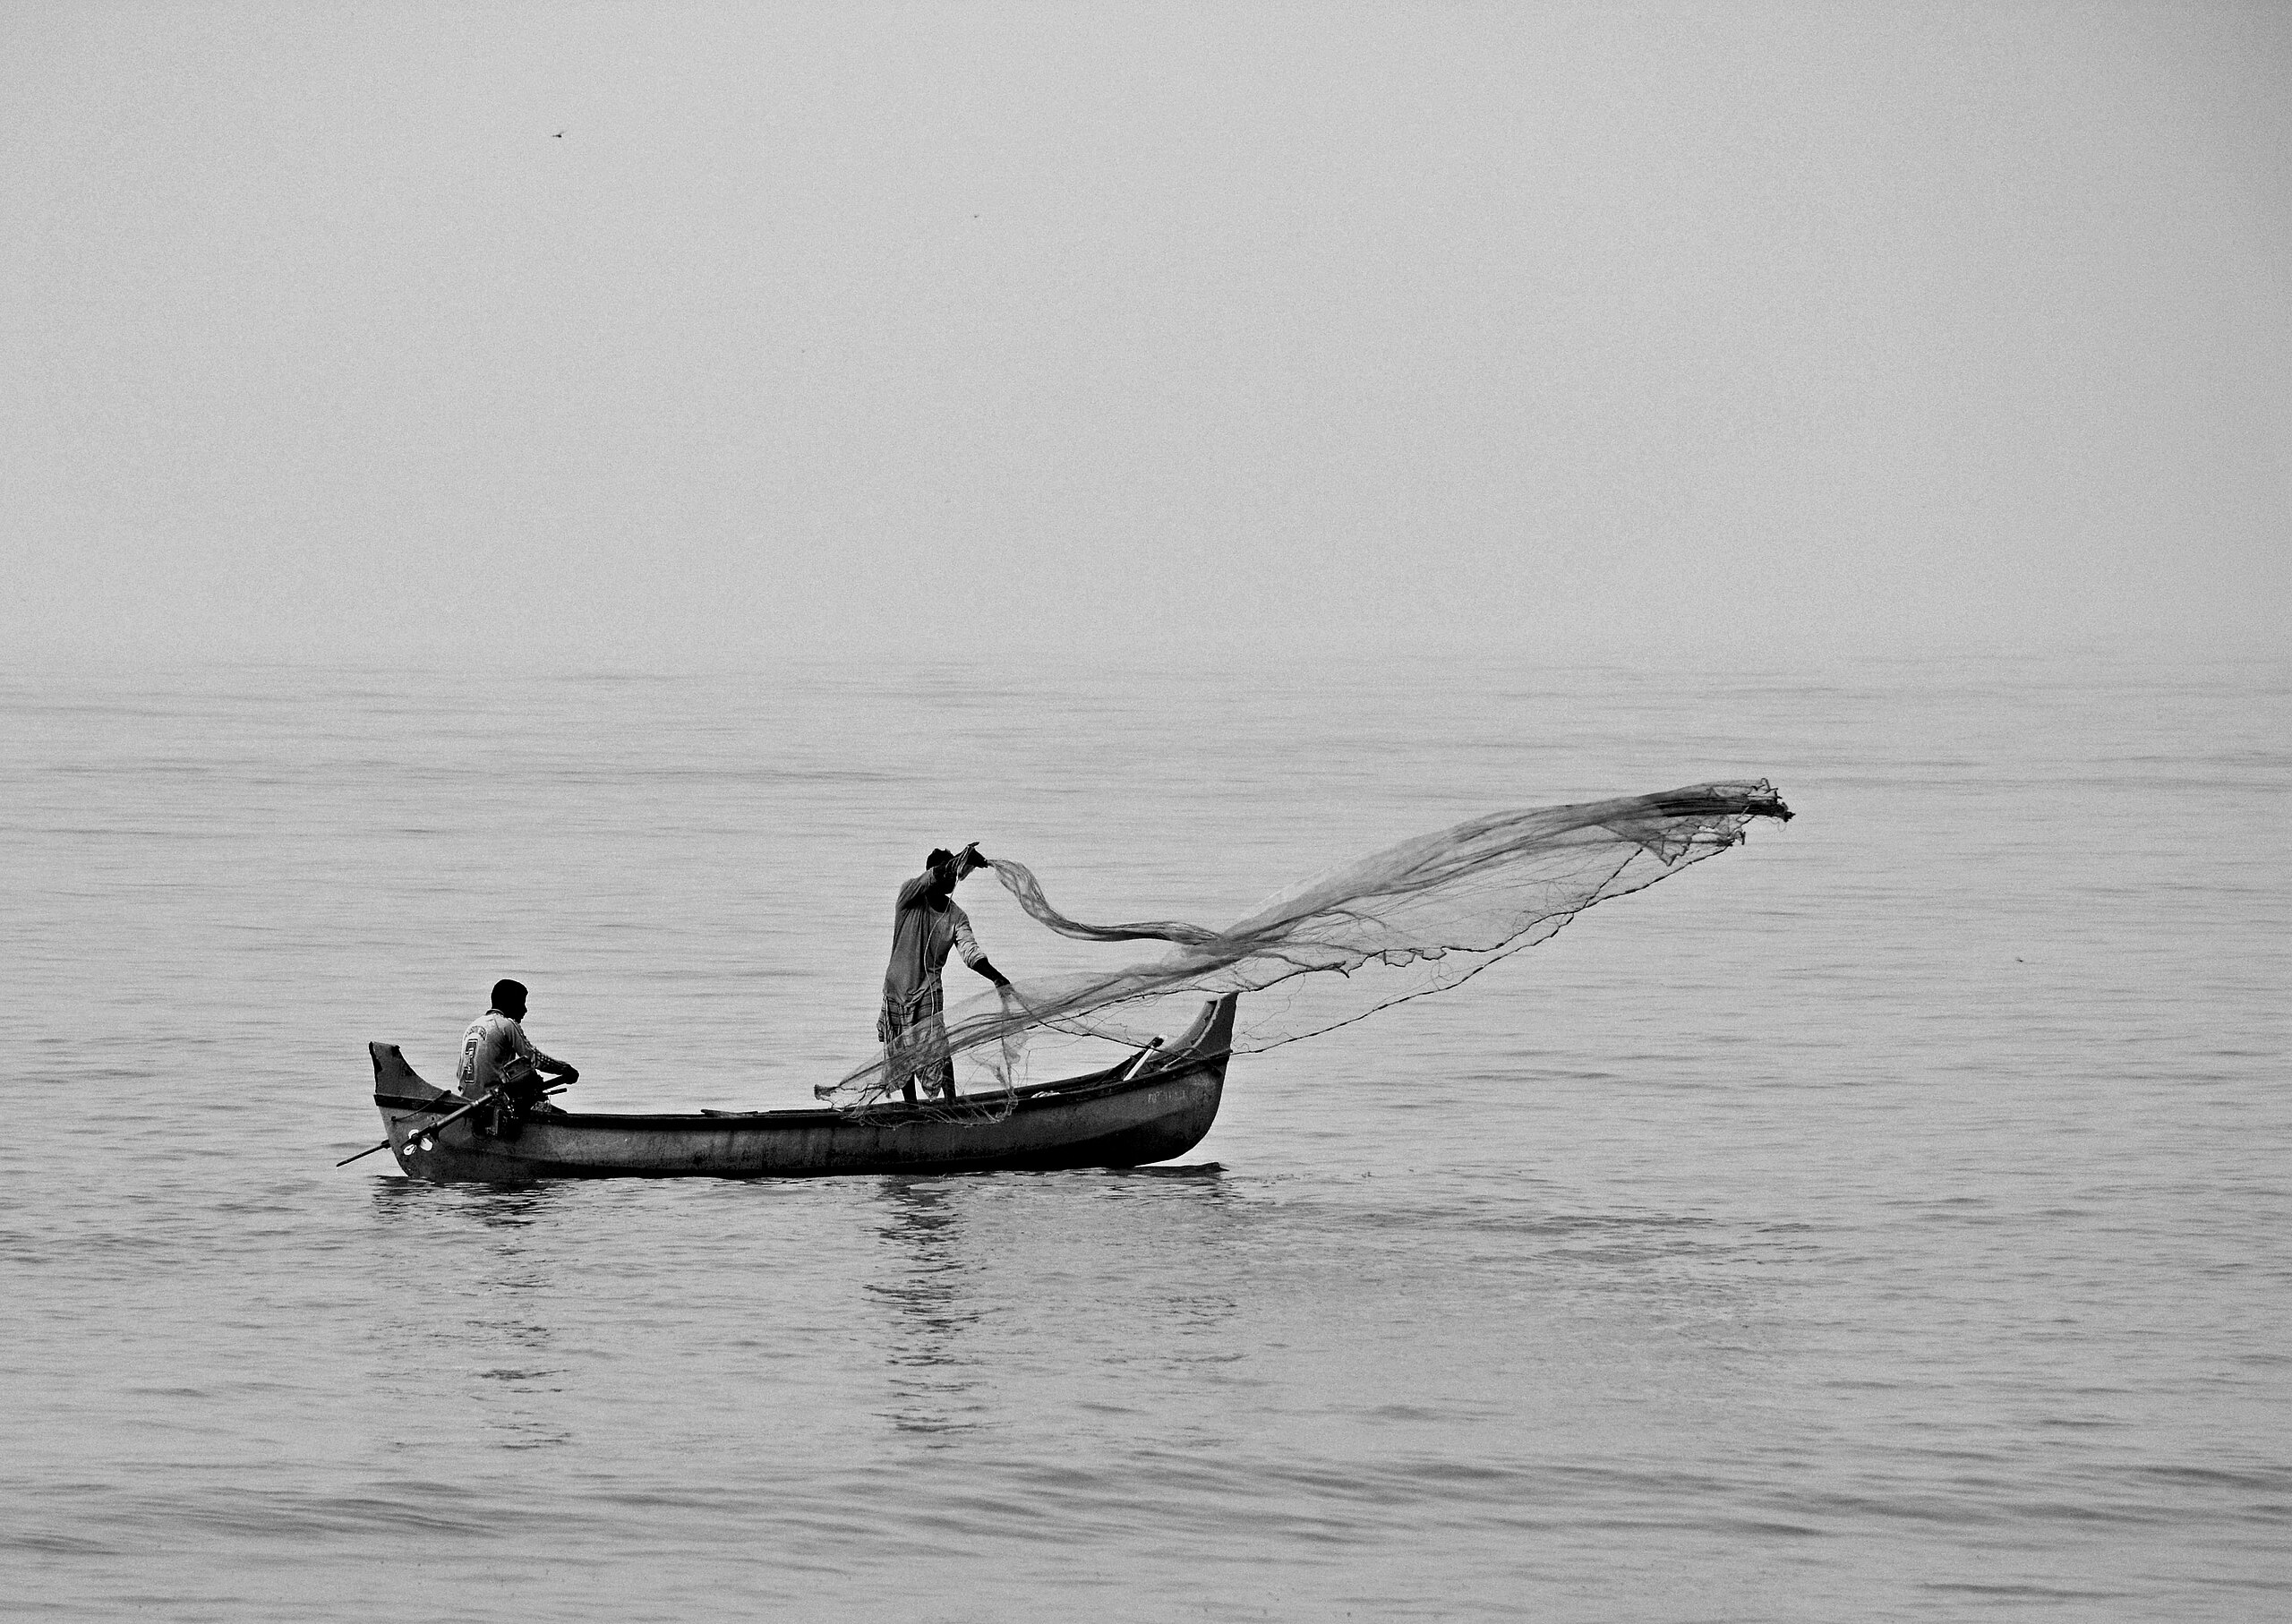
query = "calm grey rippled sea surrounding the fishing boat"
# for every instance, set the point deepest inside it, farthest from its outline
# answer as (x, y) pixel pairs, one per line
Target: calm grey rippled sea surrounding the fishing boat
(1887, 1220)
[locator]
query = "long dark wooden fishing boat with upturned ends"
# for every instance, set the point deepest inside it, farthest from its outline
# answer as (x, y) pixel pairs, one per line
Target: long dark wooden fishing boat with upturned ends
(1152, 1107)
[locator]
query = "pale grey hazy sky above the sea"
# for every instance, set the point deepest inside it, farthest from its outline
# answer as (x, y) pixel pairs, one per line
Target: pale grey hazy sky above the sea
(1594, 329)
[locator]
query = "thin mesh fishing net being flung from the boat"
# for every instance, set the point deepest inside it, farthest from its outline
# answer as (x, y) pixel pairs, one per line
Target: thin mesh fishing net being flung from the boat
(1392, 927)
